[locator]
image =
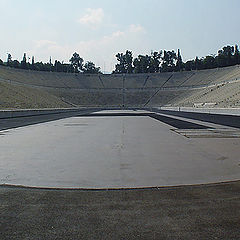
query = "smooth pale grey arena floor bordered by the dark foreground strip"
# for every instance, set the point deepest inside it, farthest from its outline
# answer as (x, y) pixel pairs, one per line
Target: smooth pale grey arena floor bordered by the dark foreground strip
(126, 151)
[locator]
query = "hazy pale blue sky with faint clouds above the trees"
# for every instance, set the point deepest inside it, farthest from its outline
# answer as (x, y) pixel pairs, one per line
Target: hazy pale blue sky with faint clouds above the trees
(98, 29)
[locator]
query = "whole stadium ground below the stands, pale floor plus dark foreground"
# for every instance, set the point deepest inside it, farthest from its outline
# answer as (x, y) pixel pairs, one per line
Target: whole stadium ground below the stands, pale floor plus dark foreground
(146, 150)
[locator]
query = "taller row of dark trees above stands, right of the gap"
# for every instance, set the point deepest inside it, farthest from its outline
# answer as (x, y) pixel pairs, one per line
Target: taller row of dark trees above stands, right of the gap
(170, 61)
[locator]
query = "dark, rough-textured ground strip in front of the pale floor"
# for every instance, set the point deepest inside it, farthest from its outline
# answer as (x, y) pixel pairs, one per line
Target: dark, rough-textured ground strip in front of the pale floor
(187, 212)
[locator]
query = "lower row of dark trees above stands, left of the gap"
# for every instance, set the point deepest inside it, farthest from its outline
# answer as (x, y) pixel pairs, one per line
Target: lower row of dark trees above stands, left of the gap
(76, 65)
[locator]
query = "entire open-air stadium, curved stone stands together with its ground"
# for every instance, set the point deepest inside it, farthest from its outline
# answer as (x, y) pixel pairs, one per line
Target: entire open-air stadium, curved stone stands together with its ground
(124, 142)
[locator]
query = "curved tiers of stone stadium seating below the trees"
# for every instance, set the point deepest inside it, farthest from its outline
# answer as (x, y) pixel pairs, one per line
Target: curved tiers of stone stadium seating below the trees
(214, 87)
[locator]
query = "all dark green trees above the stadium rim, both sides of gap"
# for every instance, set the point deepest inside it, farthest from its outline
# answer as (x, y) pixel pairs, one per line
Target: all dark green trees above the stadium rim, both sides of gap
(162, 61)
